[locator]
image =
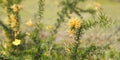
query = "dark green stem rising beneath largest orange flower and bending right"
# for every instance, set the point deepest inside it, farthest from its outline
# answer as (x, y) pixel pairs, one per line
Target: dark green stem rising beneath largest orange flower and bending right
(85, 26)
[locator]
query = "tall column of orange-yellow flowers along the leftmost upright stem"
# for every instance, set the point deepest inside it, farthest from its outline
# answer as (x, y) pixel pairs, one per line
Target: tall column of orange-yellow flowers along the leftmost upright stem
(12, 19)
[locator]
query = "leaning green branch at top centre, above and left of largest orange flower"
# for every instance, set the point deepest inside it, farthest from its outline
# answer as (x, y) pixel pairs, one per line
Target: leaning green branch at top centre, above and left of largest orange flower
(68, 7)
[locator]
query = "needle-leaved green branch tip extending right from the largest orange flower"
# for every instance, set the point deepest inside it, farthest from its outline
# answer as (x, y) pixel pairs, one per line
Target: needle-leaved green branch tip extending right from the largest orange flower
(102, 21)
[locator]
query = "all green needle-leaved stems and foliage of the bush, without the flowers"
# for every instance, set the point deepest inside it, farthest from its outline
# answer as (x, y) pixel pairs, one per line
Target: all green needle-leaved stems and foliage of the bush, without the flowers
(38, 46)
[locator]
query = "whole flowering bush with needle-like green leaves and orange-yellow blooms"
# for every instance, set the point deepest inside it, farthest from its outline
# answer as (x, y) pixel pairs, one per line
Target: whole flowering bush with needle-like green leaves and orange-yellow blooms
(40, 42)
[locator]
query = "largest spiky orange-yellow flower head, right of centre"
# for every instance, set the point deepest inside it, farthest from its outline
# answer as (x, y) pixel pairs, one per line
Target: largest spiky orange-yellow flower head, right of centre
(74, 23)
